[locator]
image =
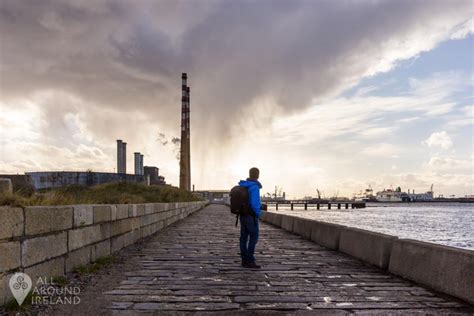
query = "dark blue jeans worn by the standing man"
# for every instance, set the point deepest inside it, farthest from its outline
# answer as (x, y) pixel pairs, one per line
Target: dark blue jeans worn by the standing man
(248, 238)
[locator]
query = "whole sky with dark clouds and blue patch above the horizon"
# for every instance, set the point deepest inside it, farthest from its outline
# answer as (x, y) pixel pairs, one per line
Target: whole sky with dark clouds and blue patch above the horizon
(328, 95)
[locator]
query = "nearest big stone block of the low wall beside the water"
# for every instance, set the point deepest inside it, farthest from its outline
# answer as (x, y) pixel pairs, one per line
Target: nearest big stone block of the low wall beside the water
(442, 268)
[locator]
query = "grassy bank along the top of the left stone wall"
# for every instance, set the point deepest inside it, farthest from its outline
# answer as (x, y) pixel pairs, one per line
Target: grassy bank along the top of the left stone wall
(110, 193)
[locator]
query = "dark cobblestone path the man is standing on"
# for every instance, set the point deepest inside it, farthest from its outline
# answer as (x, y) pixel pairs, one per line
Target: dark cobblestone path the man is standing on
(194, 265)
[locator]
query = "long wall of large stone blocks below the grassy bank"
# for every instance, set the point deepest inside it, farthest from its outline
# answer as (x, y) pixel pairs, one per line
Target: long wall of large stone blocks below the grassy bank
(48, 241)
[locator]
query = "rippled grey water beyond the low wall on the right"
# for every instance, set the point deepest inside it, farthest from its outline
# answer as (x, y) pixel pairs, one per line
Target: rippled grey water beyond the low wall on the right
(450, 224)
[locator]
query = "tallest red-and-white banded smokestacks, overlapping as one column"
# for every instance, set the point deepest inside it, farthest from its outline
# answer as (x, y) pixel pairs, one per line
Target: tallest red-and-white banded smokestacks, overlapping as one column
(185, 159)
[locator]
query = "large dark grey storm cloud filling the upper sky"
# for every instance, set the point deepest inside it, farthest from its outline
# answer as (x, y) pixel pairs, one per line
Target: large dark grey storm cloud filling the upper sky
(128, 55)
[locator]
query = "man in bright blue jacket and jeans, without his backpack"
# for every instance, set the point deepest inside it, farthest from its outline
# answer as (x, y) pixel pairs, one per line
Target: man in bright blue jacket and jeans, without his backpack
(249, 223)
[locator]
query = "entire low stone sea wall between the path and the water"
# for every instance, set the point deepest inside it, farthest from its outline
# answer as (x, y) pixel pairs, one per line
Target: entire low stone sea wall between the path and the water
(445, 269)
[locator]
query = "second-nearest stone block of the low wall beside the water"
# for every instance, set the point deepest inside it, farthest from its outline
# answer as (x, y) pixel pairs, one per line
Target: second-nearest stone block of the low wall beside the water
(371, 247)
